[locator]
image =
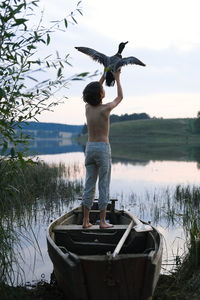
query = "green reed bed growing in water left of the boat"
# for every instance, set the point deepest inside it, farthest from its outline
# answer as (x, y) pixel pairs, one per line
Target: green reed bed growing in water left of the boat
(25, 191)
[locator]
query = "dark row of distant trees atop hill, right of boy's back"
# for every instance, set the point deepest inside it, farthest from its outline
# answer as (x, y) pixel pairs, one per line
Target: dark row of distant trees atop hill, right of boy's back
(122, 118)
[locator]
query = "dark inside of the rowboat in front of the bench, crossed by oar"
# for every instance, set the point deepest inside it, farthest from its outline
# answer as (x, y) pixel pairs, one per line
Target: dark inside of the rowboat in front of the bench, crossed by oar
(94, 240)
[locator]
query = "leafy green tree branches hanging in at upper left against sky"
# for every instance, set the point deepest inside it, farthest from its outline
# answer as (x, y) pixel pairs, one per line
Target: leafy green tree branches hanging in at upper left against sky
(23, 95)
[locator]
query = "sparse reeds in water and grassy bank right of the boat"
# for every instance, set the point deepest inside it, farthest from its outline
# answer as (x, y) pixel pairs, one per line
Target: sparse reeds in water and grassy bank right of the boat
(178, 206)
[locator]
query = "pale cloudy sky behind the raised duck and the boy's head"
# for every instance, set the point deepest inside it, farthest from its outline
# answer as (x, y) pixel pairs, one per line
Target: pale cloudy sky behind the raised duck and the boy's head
(164, 34)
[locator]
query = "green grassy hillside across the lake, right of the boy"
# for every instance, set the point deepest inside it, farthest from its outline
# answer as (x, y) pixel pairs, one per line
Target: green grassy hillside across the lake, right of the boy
(163, 131)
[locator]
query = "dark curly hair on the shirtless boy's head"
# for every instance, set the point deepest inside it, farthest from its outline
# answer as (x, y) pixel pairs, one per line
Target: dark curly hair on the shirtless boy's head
(92, 93)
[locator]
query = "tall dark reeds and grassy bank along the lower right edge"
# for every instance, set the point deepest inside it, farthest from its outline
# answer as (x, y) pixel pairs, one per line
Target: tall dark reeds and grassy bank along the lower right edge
(184, 282)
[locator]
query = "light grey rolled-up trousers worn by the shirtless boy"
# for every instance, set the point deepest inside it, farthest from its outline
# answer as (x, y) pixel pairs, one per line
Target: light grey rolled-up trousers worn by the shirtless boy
(98, 164)
